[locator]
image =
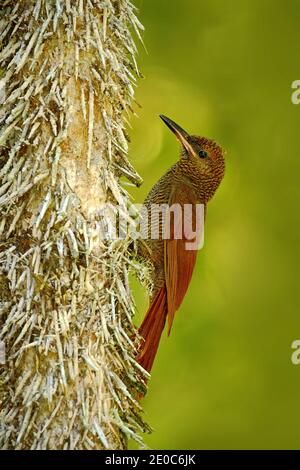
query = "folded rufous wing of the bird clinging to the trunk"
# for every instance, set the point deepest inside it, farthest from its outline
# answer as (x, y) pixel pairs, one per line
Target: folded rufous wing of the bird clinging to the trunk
(180, 261)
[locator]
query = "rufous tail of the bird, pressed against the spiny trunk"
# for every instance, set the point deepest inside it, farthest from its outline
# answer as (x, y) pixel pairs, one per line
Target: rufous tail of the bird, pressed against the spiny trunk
(152, 328)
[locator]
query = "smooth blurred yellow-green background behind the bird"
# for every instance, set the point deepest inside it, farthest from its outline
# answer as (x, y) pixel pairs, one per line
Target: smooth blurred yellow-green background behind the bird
(223, 69)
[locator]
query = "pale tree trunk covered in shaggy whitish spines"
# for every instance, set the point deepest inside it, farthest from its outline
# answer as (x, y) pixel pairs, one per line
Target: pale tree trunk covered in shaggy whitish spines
(67, 74)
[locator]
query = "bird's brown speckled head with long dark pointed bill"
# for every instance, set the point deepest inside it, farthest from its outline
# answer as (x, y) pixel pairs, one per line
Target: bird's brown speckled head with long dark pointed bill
(203, 158)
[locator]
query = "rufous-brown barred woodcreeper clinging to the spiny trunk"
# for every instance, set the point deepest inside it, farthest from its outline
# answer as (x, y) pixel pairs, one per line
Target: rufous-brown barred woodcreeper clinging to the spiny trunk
(193, 180)
